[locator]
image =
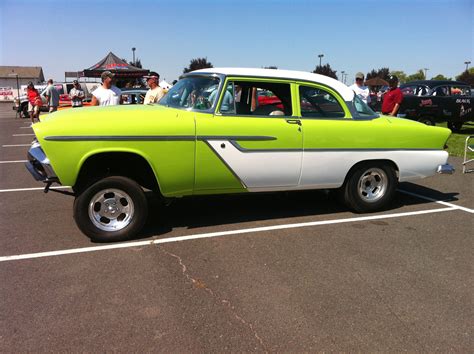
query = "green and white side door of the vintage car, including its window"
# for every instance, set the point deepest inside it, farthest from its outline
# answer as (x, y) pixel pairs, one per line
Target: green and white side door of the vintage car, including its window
(246, 145)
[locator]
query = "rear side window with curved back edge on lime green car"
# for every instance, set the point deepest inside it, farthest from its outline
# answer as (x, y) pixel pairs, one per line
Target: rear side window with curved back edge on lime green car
(318, 103)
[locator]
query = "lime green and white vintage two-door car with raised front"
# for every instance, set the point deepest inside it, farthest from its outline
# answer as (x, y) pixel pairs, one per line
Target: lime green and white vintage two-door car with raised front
(210, 135)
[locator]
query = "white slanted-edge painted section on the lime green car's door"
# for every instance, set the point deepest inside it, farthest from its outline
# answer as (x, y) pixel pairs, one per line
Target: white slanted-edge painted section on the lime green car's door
(261, 169)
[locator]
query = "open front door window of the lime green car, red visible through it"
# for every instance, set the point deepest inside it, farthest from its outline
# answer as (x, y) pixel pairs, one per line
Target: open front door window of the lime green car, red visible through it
(253, 98)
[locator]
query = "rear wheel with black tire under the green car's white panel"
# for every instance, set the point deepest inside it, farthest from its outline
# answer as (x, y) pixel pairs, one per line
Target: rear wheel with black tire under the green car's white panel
(370, 186)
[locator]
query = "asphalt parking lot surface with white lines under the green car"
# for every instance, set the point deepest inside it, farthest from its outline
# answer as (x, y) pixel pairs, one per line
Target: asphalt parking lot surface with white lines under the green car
(262, 272)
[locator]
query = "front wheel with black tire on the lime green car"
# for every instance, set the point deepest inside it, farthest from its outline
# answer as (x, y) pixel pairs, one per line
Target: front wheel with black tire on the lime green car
(112, 209)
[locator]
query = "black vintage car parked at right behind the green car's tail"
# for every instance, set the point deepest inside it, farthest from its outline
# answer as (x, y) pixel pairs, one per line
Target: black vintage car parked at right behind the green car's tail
(428, 101)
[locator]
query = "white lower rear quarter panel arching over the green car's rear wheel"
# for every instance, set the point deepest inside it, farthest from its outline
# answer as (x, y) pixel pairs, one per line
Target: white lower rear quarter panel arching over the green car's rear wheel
(327, 169)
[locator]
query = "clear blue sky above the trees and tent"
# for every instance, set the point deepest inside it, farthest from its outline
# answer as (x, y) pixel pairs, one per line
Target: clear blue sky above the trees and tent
(353, 35)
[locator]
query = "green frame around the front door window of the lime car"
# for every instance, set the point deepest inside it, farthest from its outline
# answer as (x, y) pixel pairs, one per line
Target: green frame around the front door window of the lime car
(234, 78)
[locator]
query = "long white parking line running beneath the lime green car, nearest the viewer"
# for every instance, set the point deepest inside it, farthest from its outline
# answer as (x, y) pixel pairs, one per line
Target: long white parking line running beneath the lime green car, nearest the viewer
(217, 234)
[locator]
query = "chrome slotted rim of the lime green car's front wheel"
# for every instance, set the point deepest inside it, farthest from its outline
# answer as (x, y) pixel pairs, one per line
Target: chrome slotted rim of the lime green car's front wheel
(111, 210)
